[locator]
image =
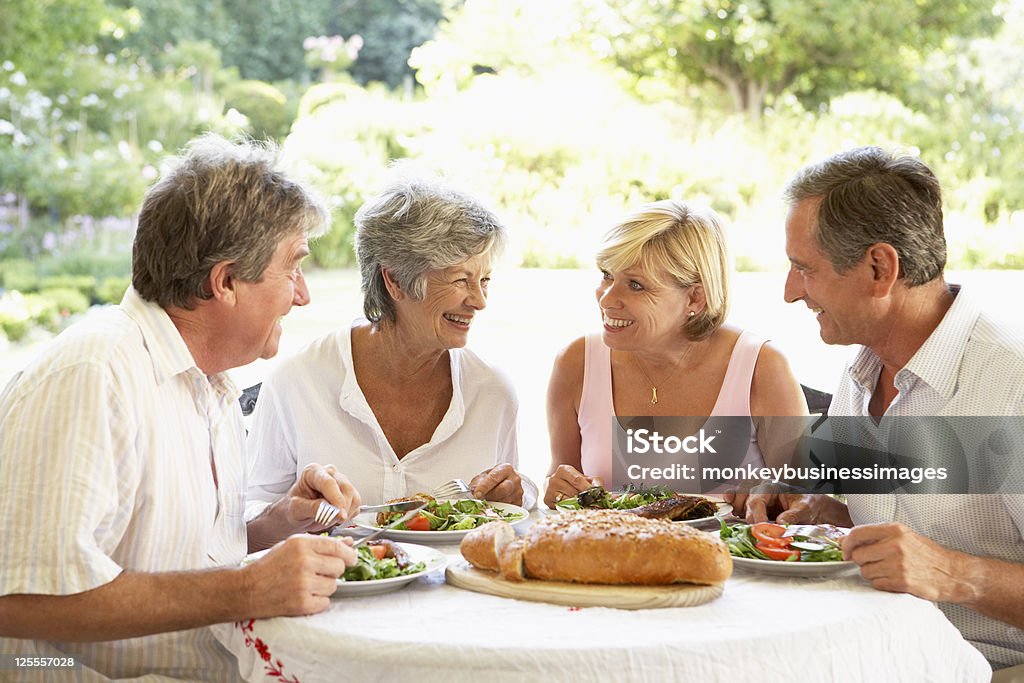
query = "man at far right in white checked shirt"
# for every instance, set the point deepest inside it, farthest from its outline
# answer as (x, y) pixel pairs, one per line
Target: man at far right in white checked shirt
(865, 237)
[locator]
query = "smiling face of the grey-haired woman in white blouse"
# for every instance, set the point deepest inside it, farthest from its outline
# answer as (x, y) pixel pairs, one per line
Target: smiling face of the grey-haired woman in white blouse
(453, 298)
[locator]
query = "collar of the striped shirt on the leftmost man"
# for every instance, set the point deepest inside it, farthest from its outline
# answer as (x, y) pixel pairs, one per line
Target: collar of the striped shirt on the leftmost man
(168, 351)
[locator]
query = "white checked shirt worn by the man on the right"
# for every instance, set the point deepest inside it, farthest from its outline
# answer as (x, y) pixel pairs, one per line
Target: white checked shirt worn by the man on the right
(970, 366)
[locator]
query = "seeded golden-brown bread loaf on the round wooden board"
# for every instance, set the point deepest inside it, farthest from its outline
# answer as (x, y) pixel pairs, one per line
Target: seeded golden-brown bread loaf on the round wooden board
(601, 547)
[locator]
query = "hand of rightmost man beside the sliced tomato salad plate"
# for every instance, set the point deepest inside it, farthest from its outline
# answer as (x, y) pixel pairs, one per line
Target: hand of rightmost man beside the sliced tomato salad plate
(897, 560)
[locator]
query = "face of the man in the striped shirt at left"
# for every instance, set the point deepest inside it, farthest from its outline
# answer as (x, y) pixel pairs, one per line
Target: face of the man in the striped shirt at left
(263, 305)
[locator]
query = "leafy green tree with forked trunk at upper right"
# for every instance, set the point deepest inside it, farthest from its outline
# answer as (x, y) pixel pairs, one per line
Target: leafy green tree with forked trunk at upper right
(758, 50)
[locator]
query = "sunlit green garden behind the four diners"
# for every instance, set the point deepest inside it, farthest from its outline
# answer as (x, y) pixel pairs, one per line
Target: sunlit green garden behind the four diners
(563, 114)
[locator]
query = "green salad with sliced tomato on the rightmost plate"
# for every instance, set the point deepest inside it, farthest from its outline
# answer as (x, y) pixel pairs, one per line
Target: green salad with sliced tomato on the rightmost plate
(766, 542)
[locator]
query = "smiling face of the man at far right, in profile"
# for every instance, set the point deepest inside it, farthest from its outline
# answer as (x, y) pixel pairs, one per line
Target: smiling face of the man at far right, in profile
(840, 301)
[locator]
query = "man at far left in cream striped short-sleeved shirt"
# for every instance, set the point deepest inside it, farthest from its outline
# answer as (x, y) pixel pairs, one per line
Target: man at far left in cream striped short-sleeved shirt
(121, 448)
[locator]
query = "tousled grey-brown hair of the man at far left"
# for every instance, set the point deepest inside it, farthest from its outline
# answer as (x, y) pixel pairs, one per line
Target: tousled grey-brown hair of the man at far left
(221, 202)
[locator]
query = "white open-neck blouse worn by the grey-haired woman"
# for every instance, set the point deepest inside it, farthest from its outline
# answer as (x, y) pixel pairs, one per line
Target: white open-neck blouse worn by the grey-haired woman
(312, 410)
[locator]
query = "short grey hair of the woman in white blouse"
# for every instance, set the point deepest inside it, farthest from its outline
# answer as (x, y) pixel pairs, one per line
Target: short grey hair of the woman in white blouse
(415, 226)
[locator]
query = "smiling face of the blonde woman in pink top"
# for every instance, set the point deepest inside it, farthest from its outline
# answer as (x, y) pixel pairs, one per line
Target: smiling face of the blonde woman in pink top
(639, 311)
